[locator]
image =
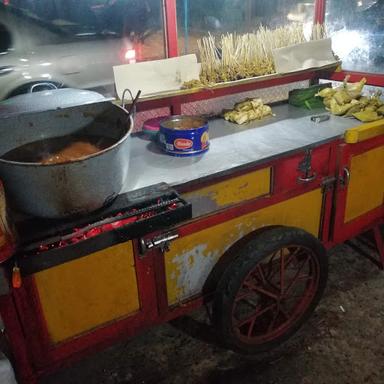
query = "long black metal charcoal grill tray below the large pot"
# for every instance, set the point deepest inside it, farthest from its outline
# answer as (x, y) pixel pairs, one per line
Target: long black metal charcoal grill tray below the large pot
(42, 231)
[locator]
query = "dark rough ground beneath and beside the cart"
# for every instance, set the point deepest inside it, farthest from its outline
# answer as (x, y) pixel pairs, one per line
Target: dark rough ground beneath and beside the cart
(341, 344)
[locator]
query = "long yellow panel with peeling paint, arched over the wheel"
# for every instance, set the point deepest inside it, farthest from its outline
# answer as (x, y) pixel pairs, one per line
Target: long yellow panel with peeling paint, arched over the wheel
(191, 258)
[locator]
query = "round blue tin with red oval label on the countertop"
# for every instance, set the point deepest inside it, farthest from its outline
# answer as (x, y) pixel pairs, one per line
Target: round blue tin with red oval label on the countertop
(184, 135)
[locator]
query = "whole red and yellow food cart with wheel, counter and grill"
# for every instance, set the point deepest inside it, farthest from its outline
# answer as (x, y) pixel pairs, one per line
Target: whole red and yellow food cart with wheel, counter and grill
(245, 227)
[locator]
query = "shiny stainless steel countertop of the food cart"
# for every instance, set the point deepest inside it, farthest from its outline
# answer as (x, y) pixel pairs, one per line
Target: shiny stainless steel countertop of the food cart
(233, 146)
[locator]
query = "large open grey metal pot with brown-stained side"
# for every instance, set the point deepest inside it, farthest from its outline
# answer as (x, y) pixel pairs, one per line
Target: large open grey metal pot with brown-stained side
(76, 187)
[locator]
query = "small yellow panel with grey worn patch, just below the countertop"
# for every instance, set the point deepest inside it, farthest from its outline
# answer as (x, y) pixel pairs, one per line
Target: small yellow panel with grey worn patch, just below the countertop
(236, 189)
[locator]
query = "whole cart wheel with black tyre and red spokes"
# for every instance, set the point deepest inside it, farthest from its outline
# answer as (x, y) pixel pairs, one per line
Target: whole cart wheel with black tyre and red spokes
(270, 289)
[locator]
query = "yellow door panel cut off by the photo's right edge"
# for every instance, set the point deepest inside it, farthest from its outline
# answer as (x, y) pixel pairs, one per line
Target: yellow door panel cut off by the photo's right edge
(366, 187)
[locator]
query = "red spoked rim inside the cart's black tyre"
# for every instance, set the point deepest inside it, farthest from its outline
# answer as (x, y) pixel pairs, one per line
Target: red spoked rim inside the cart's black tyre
(275, 294)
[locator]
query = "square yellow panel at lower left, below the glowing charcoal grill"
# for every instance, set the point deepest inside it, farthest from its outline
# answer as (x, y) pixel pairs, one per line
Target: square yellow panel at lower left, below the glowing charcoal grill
(85, 293)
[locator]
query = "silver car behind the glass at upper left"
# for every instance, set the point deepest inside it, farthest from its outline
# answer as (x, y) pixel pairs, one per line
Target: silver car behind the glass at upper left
(74, 46)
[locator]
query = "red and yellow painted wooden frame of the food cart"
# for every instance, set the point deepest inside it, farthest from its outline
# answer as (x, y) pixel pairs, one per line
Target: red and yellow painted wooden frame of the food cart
(285, 195)
